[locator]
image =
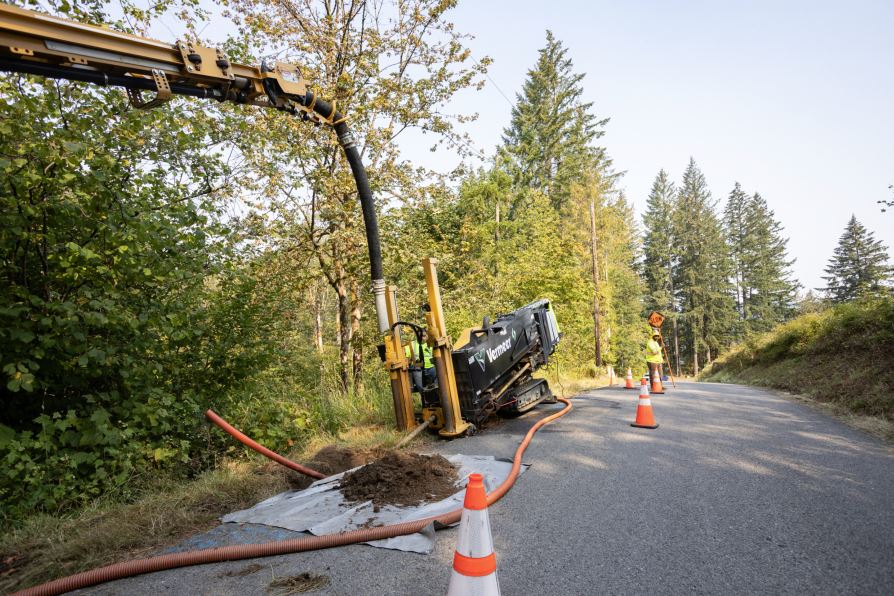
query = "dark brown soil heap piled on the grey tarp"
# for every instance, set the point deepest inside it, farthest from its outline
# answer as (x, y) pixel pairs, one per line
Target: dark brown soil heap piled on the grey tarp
(399, 478)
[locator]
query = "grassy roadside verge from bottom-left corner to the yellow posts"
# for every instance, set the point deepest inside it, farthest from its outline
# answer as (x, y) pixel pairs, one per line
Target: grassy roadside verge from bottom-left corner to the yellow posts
(170, 509)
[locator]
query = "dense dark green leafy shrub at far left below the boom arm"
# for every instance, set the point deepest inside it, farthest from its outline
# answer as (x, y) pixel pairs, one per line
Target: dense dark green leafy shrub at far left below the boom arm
(125, 310)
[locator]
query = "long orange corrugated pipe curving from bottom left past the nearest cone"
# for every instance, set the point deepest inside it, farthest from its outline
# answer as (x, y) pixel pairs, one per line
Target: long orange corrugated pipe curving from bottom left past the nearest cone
(282, 547)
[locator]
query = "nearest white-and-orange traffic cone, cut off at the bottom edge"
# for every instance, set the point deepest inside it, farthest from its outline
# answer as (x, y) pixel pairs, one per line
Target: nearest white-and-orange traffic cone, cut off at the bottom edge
(474, 562)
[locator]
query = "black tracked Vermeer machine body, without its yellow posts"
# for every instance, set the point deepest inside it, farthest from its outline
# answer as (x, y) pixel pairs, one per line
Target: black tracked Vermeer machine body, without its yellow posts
(493, 370)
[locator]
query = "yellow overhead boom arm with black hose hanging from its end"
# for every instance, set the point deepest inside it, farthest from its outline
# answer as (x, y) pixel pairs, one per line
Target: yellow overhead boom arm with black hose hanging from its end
(39, 44)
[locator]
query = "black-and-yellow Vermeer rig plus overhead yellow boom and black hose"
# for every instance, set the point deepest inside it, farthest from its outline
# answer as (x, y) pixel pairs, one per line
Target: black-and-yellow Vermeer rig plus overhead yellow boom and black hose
(489, 369)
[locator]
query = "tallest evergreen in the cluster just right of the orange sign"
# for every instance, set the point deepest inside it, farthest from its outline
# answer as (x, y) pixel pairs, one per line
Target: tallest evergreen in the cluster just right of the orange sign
(701, 278)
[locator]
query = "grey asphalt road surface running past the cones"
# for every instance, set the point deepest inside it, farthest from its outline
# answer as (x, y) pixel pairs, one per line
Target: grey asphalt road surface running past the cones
(739, 491)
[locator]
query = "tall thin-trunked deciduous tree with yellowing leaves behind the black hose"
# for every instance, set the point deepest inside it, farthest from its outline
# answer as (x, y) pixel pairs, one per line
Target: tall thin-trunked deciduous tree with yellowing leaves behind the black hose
(392, 67)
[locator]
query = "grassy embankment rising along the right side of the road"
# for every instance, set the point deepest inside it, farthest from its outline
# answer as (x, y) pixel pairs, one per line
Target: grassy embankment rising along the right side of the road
(843, 355)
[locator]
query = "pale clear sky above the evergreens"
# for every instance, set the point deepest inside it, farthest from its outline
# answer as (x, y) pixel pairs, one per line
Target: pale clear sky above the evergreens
(793, 99)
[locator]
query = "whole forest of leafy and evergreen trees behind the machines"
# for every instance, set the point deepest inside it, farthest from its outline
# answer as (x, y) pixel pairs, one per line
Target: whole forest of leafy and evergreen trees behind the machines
(199, 255)
